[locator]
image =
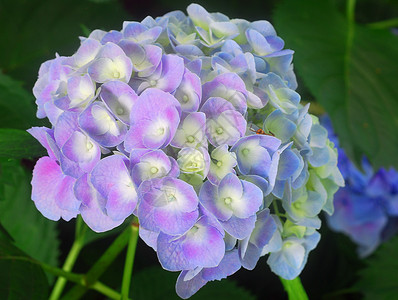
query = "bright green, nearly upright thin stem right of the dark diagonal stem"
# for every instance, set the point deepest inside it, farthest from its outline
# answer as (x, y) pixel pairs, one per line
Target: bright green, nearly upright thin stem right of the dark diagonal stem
(128, 266)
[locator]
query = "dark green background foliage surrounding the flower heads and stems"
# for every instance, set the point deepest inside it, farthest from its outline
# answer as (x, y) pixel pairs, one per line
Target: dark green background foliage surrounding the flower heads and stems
(345, 62)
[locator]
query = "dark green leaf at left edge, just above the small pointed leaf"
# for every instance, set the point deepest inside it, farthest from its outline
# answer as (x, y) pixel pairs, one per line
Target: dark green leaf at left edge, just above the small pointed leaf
(17, 108)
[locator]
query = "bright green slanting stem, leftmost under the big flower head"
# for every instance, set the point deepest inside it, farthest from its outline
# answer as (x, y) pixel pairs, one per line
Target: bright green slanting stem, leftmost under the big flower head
(70, 259)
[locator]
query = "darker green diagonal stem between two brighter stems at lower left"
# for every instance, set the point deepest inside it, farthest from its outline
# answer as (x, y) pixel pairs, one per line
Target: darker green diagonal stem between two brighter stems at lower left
(100, 266)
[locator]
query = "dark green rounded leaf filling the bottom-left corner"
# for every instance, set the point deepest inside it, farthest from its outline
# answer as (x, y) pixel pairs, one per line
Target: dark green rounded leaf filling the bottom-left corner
(20, 277)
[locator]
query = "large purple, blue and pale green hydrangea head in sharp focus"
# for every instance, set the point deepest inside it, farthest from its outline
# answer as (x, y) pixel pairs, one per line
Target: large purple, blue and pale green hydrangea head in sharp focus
(192, 124)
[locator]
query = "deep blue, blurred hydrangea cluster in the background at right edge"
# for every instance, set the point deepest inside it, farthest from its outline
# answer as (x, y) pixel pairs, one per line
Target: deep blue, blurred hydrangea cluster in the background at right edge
(366, 209)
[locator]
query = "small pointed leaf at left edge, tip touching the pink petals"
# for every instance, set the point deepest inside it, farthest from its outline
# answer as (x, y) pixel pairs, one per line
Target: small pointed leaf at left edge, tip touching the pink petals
(16, 143)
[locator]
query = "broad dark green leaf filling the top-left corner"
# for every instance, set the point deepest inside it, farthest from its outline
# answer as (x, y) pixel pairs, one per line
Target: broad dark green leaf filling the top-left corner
(40, 28)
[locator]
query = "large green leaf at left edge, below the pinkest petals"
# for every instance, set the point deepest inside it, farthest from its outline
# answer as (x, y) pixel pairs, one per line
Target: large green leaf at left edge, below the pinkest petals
(33, 233)
